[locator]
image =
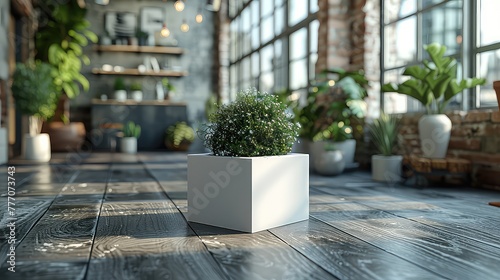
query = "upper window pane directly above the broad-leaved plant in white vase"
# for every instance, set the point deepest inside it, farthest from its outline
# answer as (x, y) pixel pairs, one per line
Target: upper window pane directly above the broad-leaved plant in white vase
(443, 25)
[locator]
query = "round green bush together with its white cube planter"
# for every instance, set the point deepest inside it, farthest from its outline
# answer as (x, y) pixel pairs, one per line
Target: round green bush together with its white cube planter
(250, 181)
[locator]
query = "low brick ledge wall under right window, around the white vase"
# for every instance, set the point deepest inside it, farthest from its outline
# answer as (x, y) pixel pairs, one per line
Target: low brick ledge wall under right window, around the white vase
(475, 136)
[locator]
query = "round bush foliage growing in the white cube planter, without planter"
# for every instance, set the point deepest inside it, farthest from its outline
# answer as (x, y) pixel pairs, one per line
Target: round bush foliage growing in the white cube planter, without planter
(255, 124)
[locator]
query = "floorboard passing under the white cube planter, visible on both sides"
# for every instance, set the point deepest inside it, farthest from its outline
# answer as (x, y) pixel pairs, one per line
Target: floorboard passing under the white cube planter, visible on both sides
(242, 256)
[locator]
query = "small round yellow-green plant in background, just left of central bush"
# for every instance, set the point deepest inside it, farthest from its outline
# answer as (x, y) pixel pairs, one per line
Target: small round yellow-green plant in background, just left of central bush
(179, 136)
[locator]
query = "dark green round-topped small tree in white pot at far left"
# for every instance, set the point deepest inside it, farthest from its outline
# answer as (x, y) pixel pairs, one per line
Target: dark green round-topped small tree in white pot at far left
(35, 95)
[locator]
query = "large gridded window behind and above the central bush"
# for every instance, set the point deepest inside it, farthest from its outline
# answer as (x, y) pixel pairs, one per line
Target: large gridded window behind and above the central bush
(273, 44)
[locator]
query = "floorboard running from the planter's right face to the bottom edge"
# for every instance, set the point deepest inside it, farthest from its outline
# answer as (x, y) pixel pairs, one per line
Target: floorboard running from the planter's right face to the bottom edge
(346, 256)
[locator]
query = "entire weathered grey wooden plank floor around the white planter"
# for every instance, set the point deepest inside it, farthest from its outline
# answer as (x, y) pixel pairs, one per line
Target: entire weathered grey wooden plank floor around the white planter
(113, 216)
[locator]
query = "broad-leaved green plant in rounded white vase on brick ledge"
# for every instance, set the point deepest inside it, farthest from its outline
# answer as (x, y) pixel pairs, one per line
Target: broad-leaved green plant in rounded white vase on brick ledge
(434, 84)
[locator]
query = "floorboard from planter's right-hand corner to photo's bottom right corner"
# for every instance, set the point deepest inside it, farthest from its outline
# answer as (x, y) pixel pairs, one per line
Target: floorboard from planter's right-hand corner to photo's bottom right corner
(459, 257)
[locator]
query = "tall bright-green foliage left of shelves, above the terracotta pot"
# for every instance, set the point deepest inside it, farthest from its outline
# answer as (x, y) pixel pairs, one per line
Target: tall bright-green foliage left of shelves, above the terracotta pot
(60, 42)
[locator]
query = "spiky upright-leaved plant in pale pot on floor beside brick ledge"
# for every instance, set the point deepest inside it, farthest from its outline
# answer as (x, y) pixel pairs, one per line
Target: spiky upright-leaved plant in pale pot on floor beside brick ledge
(386, 166)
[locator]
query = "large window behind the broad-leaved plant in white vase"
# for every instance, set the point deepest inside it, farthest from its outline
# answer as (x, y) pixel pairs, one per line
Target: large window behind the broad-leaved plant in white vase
(467, 27)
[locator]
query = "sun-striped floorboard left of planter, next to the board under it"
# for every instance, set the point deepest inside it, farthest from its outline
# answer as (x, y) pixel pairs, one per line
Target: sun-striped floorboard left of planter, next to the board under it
(141, 235)
